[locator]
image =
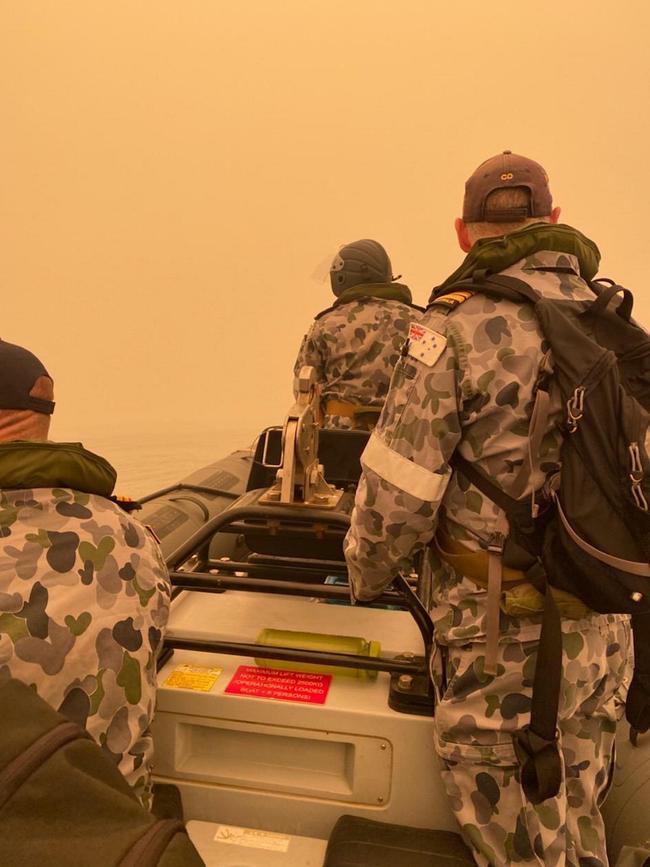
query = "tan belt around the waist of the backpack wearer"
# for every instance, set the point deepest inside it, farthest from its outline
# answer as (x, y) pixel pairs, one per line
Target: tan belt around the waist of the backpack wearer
(519, 598)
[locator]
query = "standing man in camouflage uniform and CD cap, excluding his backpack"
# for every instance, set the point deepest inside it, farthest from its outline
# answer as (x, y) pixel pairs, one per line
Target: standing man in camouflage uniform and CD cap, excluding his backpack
(465, 382)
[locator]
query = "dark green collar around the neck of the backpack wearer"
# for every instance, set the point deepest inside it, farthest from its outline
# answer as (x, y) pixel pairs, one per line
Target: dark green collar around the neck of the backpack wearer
(497, 254)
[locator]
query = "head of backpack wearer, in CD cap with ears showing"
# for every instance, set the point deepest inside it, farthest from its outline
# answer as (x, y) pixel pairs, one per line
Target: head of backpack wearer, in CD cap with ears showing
(504, 194)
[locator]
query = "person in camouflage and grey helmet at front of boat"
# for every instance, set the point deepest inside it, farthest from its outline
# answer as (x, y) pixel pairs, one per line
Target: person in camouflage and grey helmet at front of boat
(355, 344)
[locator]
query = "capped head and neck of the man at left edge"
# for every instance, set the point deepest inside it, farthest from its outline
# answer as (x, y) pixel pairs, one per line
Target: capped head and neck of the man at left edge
(26, 395)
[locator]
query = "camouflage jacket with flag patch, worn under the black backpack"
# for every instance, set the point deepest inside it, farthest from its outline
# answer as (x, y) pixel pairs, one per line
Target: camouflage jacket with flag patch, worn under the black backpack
(472, 391)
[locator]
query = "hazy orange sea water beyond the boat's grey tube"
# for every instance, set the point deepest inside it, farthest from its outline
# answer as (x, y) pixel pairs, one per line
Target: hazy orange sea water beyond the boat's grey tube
(152, 459)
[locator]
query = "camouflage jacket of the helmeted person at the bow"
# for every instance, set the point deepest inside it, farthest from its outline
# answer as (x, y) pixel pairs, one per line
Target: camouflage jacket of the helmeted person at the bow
(354, 346)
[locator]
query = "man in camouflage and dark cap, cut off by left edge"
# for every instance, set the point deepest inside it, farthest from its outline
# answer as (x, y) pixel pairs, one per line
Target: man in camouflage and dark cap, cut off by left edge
(84, 592)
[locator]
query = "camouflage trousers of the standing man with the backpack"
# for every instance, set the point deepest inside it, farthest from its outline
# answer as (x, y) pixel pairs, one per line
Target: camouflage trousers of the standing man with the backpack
(474, 723)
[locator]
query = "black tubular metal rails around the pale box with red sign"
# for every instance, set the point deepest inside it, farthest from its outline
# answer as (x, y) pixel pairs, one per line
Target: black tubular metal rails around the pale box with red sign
(233, 520)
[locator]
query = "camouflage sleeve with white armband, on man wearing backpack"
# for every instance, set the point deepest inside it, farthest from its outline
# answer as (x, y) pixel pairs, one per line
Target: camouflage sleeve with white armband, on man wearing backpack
(405, 469)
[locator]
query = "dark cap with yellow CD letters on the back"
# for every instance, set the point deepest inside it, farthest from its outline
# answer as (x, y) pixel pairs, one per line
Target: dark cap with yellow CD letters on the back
(507, 170)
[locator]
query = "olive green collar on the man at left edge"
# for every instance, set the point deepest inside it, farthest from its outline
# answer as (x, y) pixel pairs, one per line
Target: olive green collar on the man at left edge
(30, 464)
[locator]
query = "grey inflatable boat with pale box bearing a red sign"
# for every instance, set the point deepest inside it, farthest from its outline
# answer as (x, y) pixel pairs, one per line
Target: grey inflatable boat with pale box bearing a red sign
(297, 728)
